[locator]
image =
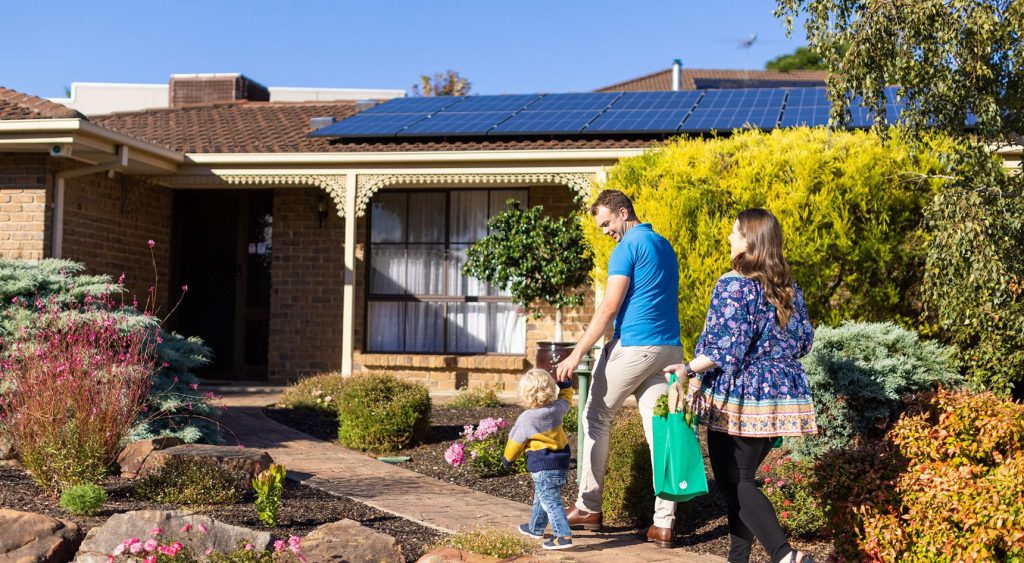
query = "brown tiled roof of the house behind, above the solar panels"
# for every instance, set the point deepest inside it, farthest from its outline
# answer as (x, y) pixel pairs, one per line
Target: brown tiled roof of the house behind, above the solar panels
(662, 80)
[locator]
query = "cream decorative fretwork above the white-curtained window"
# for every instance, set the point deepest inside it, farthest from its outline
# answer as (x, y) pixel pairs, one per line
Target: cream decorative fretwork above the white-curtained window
(368, 185)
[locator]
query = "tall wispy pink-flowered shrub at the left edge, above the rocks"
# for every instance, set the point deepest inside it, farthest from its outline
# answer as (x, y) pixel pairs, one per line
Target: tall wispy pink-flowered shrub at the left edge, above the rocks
(75, 385)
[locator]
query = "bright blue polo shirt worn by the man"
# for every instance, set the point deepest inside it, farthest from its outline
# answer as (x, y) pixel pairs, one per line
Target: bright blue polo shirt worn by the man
(650, 316)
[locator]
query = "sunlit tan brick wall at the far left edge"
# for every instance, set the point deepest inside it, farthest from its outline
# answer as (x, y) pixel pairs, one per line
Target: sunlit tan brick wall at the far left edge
(25, 219)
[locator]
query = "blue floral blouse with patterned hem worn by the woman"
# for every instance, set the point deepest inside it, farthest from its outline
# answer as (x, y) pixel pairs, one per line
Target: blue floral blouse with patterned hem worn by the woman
(759, 387)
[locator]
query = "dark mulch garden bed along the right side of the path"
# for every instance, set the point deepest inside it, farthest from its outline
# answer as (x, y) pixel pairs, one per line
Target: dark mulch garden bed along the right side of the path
(701, 525)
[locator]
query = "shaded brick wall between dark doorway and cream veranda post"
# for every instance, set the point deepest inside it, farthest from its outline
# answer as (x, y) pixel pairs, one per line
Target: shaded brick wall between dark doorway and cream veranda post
(308, 275)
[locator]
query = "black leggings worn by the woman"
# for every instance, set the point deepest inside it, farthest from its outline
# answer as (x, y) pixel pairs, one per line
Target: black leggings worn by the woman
(735, 461)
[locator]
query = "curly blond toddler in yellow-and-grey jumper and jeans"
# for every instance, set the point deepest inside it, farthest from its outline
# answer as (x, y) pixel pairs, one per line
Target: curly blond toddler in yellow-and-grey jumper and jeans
(539, 434)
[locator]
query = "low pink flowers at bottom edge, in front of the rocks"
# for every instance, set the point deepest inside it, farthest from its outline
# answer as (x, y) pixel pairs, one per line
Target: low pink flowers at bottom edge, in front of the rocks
(161, 548)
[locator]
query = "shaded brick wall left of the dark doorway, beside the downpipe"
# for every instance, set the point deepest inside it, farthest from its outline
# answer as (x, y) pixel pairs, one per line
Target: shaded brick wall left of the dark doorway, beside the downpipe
(108, 224)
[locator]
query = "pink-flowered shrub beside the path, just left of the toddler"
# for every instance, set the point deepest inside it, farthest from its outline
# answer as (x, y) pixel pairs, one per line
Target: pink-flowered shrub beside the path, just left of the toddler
(483, 449)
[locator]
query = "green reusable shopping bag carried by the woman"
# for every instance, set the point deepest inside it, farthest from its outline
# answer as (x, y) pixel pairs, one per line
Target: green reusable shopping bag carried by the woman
(679, 471)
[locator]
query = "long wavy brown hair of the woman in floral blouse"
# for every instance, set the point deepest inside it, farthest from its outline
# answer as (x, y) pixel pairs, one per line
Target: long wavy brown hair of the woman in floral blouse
(763, 261)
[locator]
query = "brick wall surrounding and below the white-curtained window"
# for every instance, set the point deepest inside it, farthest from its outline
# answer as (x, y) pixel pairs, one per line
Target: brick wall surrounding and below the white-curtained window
(459, 372)
